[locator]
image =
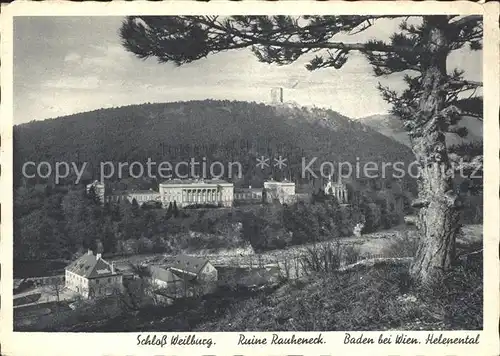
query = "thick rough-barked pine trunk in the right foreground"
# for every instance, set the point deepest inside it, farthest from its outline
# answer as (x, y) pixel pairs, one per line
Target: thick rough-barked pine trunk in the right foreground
(439, 215)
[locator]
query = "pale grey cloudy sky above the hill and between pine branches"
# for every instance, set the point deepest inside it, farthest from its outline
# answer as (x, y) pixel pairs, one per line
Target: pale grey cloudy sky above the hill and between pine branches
(66, 65)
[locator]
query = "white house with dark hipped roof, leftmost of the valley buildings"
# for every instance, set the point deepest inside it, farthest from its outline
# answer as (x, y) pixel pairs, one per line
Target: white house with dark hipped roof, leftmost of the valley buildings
(91, 276)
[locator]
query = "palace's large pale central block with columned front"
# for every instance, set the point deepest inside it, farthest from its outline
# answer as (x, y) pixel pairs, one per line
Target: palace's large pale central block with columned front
(187, 192)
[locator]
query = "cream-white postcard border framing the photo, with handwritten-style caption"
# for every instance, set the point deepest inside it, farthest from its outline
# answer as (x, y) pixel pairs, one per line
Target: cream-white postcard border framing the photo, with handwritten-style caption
(226, 343)
